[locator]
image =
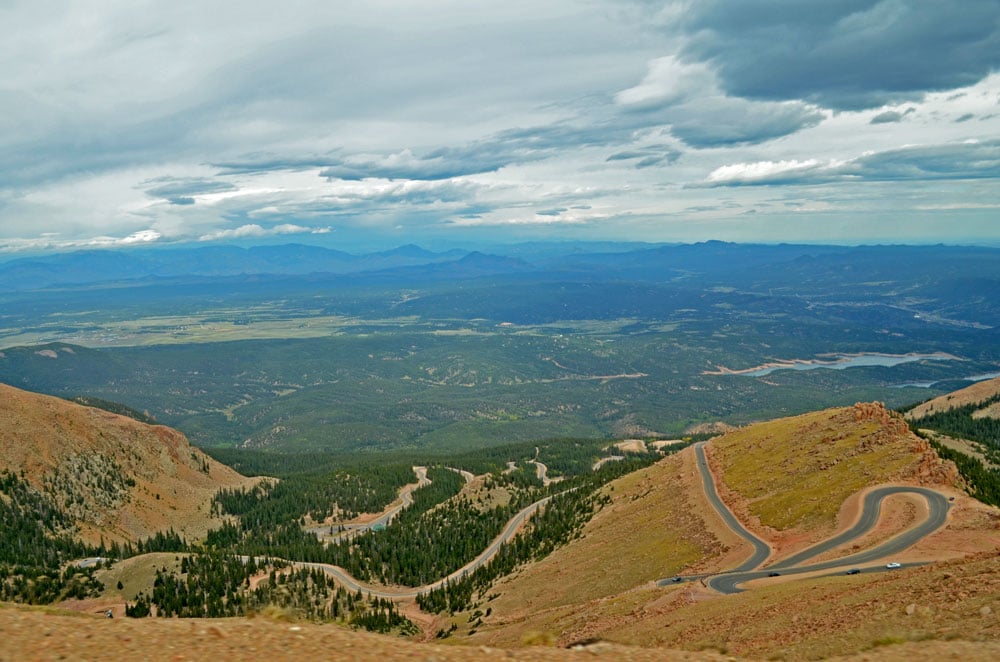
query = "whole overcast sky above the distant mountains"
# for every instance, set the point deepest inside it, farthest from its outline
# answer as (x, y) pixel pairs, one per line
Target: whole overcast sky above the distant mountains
(377, 123)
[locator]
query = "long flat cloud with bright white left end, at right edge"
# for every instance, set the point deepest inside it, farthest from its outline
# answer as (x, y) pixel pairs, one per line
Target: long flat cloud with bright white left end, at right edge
(953, 161)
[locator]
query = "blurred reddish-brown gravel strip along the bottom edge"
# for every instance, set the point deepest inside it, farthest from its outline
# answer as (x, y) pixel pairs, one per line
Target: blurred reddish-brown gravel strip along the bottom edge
(34, 634)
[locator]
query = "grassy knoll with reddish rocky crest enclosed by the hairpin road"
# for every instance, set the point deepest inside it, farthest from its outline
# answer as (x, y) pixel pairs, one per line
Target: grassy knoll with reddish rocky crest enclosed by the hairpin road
(789, 478)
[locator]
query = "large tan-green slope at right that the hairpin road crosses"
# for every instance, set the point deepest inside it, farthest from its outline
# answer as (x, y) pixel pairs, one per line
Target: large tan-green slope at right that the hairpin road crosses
(814, 468)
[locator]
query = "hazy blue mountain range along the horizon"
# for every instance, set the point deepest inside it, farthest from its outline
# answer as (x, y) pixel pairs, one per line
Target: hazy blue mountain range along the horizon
(555, 261)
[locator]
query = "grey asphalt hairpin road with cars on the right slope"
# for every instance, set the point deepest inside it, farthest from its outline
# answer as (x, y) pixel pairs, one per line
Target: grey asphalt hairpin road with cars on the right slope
(729, 582)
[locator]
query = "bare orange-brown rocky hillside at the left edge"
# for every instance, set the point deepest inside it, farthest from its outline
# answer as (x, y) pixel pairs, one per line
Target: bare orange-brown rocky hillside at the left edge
(116, 477)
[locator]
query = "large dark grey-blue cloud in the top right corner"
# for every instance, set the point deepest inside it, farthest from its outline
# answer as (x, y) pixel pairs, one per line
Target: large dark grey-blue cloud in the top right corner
(840, 54)
